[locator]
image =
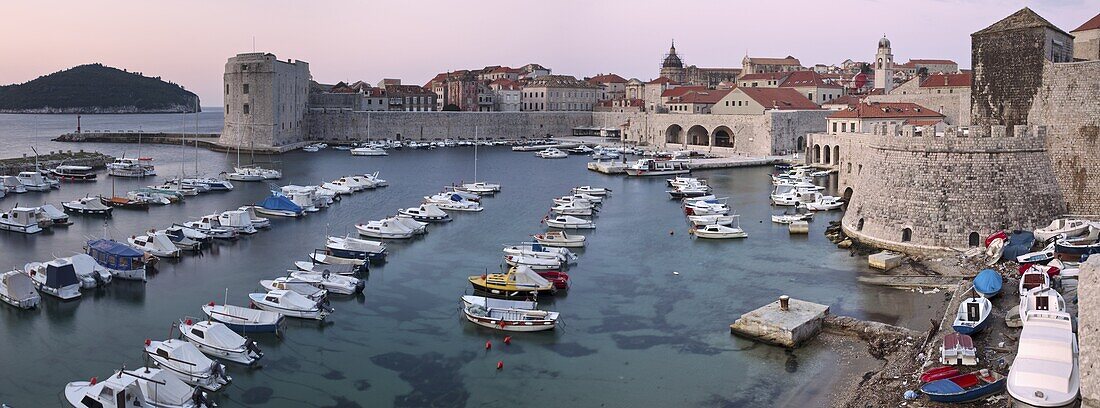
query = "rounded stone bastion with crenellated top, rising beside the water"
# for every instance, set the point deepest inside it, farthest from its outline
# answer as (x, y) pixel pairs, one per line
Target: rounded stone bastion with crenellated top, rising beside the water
(926, 192)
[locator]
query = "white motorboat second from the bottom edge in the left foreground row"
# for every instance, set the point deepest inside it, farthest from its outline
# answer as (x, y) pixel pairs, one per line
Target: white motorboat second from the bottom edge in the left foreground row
(186, 362)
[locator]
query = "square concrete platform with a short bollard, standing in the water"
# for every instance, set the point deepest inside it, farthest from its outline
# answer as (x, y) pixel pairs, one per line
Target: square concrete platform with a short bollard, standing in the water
(789, 328)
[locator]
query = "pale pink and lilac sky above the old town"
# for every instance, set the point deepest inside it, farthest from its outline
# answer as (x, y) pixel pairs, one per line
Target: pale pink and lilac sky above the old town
(188, 42)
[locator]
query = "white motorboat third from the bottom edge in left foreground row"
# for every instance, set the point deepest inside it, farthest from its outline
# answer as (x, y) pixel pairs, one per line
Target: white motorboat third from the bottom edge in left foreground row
(219, 341)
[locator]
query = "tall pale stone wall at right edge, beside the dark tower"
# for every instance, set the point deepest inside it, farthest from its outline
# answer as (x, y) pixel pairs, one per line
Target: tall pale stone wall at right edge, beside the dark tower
(1069, 105)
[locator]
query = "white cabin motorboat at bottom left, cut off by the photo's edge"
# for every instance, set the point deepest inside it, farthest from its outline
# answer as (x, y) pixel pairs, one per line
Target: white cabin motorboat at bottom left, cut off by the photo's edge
(144, 388)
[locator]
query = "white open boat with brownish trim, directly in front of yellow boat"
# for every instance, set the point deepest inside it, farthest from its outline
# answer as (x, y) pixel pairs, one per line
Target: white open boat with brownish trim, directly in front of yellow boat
(508, 315)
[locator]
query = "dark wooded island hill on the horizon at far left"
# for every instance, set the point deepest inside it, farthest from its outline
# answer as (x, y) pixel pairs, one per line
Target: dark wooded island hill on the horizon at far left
(95, 89)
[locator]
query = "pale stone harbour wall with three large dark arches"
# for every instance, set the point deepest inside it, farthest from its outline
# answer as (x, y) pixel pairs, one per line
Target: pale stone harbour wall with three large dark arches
(772, 134)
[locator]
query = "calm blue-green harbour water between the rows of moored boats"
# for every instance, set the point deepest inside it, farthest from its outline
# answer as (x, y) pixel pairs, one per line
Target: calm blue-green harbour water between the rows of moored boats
(634, 334)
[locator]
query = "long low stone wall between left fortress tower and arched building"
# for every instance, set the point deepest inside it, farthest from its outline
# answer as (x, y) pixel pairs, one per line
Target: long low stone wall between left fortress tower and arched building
(349, 126)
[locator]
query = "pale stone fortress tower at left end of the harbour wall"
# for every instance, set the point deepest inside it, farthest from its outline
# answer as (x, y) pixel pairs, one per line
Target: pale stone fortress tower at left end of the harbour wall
(266, 102)
